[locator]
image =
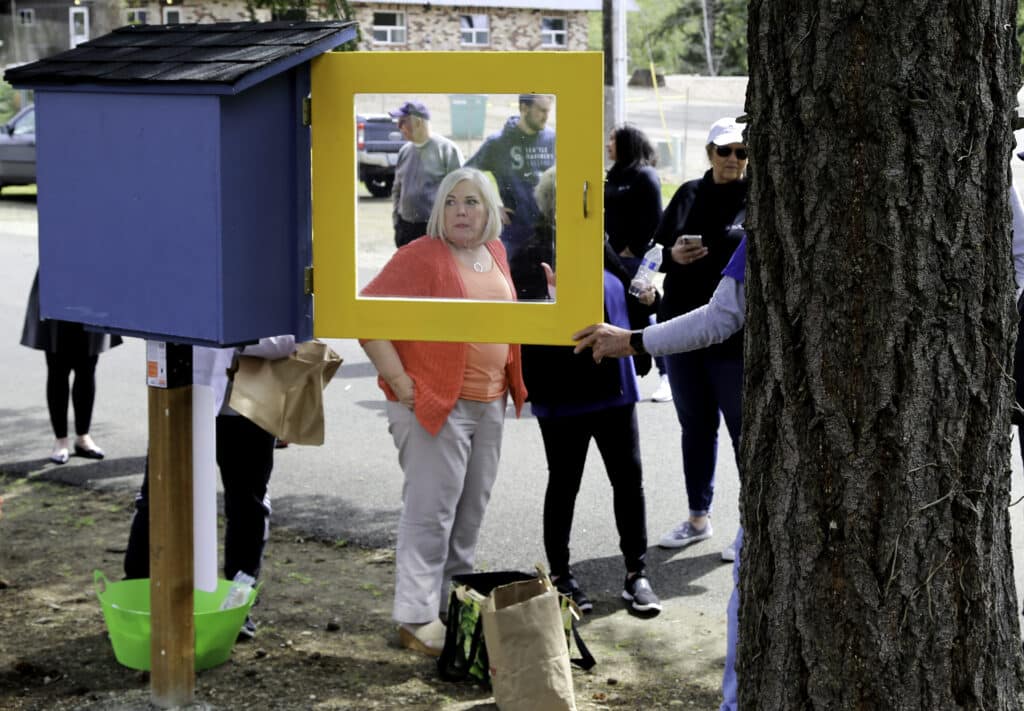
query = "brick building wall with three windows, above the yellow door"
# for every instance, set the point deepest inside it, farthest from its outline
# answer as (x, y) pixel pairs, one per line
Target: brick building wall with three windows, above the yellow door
(438, 28)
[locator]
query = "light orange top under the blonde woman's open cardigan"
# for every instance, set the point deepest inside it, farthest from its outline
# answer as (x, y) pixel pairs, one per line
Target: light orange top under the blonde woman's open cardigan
(485, 379)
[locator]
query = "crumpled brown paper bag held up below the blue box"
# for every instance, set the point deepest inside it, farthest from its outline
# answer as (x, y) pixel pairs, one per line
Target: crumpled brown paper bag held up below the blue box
(286, 397)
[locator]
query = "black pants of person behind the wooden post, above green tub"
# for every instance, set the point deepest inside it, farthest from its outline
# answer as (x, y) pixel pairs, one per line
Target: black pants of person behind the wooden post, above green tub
(245, 456)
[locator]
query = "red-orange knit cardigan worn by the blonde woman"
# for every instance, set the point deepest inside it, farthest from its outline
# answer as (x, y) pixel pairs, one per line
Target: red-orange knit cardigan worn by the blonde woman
(426, 268)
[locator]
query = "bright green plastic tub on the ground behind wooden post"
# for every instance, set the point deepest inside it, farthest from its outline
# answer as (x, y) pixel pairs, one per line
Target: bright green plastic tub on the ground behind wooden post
(126, 611)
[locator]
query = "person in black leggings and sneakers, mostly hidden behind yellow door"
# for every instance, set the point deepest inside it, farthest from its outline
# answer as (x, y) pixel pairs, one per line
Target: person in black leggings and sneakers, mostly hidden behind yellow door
(576, 400)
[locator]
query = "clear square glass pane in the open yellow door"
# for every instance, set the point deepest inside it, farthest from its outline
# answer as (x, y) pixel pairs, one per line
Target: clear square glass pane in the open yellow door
(408, 145)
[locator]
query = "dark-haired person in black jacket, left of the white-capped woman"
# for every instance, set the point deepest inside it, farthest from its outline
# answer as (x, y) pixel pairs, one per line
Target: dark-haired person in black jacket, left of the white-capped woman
(633, 210)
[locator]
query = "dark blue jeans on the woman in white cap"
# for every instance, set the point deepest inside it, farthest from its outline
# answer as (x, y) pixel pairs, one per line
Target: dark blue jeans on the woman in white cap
(703, 386)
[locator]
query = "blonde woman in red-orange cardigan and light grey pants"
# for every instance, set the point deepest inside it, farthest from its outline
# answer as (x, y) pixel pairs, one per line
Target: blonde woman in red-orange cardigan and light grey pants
(446, 404)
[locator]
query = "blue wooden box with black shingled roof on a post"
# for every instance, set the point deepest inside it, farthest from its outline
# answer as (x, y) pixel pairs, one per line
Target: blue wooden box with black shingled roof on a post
(174, 170)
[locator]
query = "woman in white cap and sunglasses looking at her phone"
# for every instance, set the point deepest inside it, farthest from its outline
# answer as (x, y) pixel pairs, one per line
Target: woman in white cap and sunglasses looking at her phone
(708, 382)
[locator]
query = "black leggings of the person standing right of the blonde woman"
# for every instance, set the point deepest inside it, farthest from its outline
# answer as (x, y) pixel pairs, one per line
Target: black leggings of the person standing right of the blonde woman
(566, 444)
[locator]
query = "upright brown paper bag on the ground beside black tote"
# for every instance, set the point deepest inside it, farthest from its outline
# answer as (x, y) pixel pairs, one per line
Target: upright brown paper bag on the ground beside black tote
(526, 639)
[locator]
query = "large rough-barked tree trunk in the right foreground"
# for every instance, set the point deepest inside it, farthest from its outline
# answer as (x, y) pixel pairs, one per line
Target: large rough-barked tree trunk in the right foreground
(877, 571)
